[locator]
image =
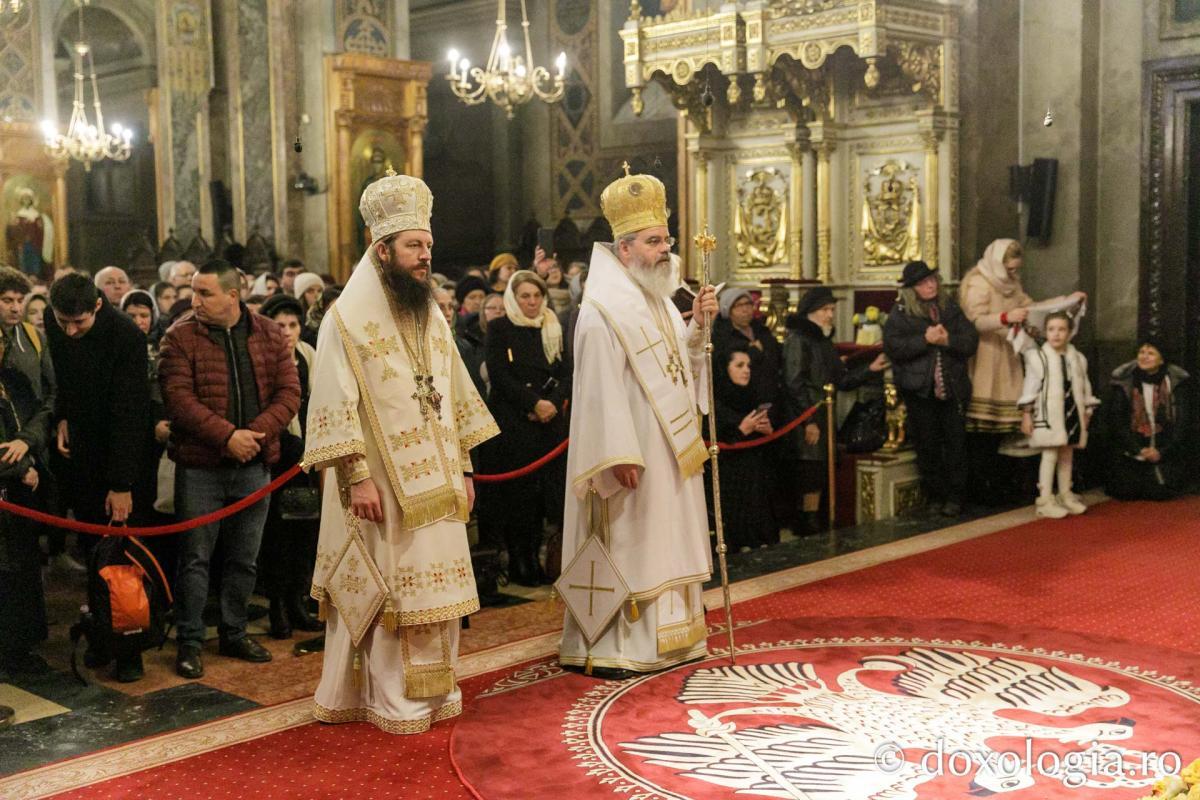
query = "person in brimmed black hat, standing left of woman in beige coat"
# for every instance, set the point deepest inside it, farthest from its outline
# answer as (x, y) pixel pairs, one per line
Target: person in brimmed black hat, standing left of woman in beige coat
(929, 341)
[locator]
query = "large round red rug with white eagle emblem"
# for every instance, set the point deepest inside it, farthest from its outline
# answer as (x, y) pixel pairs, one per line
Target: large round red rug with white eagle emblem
(821, 713)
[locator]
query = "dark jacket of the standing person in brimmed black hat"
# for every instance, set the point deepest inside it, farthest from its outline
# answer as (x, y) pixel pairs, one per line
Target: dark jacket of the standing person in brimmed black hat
(914, 358)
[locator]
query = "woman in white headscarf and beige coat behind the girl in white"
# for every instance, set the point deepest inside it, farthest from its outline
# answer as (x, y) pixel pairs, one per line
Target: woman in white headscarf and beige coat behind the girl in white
(993, 298)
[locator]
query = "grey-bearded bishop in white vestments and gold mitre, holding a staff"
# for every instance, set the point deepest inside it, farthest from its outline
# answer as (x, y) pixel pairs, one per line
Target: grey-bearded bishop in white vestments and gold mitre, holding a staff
(637, 458)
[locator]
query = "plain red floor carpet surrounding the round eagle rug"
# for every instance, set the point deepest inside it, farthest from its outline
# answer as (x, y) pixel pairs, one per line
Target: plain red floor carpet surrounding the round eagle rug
(1123, 574)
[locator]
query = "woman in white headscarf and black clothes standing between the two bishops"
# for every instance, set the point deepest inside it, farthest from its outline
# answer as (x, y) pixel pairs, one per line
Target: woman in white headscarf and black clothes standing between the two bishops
(531, 389)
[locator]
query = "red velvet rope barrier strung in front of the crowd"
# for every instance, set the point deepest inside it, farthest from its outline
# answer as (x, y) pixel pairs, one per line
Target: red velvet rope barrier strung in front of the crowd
(251, 500)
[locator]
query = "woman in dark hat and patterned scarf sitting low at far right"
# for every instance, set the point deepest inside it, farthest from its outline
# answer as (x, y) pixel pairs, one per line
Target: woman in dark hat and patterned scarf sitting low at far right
(1149, 424)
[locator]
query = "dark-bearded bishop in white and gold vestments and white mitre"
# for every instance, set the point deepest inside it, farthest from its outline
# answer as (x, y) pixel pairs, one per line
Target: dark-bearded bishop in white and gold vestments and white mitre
(393, 418)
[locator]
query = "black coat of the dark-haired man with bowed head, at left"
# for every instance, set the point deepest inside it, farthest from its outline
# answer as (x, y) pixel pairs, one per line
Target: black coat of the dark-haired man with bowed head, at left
(104, 394)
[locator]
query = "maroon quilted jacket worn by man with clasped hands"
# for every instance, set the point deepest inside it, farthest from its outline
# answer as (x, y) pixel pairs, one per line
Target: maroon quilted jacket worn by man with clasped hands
(197, 384)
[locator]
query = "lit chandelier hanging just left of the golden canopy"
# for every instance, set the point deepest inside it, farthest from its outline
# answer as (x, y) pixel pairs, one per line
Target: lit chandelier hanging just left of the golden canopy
(508, 81)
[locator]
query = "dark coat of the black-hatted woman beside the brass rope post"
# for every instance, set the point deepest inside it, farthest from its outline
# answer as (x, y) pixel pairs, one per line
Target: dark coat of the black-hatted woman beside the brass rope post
(811, 362)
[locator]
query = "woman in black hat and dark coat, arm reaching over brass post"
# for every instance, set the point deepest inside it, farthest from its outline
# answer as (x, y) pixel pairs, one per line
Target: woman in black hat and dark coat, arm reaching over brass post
(811, 362)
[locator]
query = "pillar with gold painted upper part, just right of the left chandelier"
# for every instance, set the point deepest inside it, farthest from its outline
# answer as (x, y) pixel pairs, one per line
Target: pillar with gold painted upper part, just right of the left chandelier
(185, 80)
